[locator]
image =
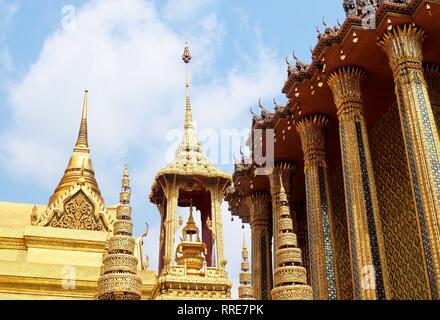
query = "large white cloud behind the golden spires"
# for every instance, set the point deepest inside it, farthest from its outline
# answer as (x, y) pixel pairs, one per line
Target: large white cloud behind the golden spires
(133, 70)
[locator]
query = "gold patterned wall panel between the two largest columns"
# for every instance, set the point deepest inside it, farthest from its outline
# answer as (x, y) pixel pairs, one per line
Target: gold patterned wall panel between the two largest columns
(408, 275)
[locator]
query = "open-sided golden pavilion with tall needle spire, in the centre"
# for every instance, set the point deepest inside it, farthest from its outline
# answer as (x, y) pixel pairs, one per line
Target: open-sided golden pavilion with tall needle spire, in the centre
(191, 180)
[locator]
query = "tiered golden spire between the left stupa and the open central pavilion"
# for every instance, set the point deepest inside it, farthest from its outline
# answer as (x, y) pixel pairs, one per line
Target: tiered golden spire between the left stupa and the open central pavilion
(119, 280)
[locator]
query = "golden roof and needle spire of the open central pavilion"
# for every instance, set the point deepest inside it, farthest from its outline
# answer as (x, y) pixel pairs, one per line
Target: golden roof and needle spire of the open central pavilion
(190, 159)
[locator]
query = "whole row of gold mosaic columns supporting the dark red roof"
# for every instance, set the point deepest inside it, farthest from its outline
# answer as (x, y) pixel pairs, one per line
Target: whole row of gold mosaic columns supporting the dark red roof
(403, 45)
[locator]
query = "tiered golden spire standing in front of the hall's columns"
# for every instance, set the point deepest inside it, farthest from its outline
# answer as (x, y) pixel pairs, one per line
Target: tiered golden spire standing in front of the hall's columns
(290, 277)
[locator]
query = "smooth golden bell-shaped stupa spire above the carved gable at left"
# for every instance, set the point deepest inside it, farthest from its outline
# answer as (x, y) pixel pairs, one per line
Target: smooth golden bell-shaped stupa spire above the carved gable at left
(79, 168)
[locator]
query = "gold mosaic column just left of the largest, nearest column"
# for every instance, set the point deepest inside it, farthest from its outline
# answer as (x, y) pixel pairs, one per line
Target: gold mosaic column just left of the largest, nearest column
(365, 234)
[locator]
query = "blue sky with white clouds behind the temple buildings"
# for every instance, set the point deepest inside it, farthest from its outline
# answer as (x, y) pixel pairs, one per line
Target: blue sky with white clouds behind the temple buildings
(127, 53)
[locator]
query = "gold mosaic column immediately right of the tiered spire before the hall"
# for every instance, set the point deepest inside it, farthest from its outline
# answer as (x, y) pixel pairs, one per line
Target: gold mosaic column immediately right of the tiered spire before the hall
(319, 209)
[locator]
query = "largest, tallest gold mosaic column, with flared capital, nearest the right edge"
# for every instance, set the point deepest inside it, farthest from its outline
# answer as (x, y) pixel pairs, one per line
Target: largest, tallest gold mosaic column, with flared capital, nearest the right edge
(403, 46)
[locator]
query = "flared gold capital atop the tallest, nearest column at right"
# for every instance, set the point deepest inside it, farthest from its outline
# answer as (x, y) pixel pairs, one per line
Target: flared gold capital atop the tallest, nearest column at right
(403, 45)
